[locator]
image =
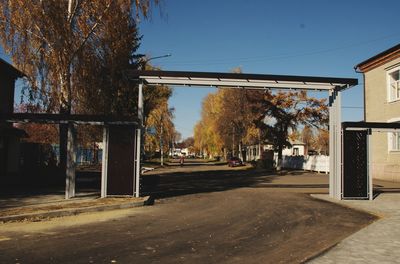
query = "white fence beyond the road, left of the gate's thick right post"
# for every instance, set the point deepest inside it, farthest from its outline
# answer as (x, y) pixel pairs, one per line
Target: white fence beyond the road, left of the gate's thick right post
(318, 163)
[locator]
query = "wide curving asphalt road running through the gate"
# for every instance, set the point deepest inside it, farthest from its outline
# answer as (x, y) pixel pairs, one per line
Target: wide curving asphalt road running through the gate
(192, 223)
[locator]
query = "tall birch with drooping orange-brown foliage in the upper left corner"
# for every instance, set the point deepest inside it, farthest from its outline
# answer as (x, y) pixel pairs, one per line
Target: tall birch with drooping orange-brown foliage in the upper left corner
(48, 39)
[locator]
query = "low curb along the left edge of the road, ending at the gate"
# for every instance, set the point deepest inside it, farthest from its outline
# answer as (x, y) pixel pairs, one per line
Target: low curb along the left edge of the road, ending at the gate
(34, 217)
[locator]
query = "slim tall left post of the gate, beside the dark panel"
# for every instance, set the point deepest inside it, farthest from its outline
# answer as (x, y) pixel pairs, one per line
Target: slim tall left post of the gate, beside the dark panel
(138, 140)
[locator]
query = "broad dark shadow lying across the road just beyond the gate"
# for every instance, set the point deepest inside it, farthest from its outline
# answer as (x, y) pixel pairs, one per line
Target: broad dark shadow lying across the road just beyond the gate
(171, 184)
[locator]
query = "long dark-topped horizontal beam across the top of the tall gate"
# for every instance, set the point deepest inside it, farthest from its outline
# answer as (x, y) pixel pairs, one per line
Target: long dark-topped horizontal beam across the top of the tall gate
(242, 80)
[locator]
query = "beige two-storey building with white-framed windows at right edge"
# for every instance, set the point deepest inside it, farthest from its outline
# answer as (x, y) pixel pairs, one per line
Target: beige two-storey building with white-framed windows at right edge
(382, 104)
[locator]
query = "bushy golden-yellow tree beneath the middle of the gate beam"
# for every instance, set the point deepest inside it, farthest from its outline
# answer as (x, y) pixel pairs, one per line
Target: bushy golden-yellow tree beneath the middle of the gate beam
(226, 124)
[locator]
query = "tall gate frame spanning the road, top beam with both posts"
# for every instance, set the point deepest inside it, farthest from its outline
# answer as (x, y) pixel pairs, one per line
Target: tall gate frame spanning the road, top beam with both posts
(333, 85)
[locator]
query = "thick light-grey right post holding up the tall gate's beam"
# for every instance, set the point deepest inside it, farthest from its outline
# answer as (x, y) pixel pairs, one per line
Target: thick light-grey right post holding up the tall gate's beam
(335, 145)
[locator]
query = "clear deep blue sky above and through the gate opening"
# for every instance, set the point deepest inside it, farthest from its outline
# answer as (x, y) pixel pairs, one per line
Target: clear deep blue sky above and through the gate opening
(314, 37)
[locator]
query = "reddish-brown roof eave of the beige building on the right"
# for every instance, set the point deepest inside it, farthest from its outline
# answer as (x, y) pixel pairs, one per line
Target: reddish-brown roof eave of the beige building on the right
(379, 59)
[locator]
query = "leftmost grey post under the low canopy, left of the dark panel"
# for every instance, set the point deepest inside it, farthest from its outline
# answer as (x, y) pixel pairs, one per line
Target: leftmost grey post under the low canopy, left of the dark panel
(71, 162)
